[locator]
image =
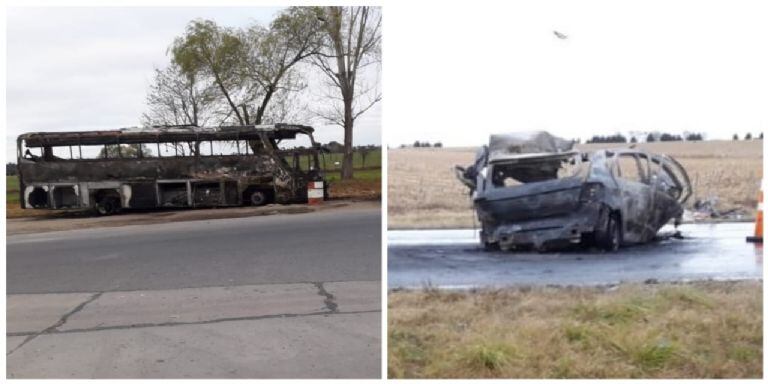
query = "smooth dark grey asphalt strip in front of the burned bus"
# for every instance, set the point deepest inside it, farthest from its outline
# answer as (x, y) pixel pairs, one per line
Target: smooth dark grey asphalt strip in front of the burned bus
(323, 246)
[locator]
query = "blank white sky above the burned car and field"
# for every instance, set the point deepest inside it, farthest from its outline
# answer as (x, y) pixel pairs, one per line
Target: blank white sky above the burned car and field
(458, 73)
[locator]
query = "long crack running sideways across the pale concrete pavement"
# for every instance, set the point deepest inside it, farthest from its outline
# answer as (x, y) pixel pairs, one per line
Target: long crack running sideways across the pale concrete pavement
(54, 331)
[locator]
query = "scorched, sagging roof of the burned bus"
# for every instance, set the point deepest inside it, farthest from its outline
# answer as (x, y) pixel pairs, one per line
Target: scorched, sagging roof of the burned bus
(173, 133)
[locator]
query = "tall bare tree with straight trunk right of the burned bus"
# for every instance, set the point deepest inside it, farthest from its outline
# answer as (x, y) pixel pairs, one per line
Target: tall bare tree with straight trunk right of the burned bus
(353, 42)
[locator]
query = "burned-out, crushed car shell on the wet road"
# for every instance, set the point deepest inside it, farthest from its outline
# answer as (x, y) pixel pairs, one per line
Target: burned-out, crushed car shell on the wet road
(534, 190)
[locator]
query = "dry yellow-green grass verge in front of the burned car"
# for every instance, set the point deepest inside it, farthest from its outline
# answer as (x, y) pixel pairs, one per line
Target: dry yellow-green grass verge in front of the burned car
(697, 330)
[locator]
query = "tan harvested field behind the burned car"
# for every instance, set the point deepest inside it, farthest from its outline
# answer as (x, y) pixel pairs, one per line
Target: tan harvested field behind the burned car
(424, 193)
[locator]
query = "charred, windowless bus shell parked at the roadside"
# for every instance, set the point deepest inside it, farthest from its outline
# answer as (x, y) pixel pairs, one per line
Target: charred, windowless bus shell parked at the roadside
(116, 169)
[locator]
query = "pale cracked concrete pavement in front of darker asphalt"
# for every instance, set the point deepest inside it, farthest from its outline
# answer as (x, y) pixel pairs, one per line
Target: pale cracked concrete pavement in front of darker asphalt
(322, 330)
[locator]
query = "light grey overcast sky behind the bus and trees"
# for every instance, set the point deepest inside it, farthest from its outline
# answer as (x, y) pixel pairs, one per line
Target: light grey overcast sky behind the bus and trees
(80, 68)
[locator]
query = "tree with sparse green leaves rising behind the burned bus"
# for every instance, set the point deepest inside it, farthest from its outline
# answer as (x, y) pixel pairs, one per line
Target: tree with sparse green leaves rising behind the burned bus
(250, 67)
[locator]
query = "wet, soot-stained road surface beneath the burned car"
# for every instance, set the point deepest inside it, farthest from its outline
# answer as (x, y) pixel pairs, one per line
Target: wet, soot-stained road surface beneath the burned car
(453, 259)
